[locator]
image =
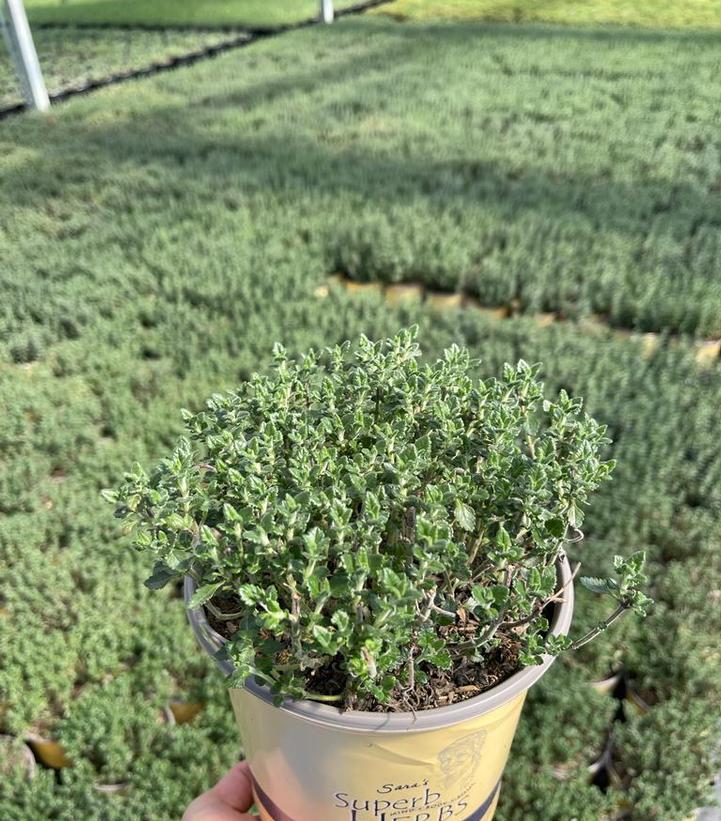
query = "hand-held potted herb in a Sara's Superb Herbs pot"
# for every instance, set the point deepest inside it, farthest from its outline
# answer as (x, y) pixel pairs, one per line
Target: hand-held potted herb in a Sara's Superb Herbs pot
(373, 551)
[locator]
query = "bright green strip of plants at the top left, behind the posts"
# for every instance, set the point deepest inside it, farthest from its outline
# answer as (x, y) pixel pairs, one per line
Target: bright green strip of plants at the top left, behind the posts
(176, 12)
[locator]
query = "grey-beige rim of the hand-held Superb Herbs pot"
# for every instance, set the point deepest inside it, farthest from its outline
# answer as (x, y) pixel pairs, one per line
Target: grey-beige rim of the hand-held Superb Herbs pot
(361, 721)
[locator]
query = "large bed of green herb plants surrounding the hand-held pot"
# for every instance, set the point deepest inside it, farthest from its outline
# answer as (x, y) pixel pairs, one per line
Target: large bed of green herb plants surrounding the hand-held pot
(157, 237)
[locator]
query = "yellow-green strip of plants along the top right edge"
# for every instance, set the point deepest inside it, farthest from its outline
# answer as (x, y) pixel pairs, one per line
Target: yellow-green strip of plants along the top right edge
(698, 13)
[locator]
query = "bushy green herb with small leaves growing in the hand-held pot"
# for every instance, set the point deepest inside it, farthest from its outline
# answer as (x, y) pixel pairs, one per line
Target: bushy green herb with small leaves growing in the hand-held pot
(360, 518)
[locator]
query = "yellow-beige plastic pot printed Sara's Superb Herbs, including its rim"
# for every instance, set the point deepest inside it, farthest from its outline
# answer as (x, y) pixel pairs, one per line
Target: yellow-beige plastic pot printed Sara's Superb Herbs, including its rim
(312, 762)
